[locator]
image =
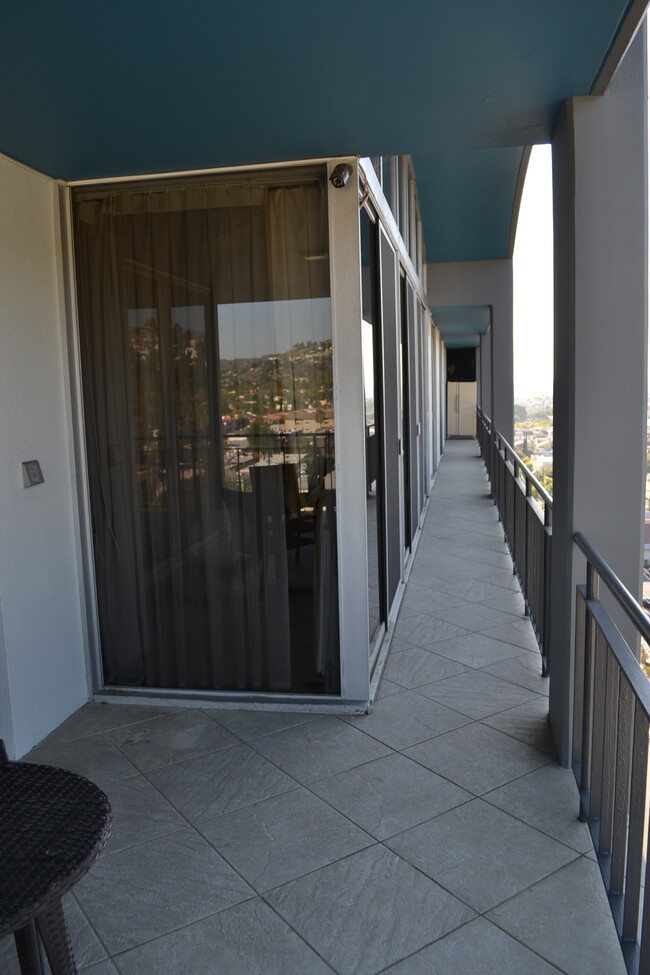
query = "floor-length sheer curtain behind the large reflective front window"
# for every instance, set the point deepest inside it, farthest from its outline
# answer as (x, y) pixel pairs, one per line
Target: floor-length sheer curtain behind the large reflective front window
(206, 353)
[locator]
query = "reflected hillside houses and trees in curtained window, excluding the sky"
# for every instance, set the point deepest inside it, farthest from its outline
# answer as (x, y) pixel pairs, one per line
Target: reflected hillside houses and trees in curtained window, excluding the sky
(296, 385)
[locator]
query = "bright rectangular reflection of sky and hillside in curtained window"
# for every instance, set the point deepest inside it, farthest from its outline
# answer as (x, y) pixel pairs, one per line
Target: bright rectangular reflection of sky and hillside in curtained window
(277, 407)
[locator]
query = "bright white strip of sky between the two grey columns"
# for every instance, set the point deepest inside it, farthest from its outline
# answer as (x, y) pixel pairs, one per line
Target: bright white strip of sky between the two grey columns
(533, 281)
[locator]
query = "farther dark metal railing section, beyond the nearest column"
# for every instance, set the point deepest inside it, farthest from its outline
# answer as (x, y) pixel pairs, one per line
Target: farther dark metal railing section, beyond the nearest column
(526, 511)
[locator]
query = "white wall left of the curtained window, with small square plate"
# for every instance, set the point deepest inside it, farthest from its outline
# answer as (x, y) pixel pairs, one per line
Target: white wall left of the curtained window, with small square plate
(42, 651)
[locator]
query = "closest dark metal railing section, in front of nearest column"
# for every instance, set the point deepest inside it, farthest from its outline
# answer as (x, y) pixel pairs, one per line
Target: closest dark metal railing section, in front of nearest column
(611, 723)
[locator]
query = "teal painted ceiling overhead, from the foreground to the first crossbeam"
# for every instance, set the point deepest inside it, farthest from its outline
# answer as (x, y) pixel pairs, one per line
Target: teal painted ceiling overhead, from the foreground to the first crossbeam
(97, 89)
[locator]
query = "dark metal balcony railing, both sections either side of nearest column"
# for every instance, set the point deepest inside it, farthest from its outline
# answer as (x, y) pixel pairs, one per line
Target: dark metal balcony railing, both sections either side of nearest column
(611, 693)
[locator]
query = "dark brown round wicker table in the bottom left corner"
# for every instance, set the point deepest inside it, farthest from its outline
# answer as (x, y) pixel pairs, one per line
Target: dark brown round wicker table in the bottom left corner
(53, 825)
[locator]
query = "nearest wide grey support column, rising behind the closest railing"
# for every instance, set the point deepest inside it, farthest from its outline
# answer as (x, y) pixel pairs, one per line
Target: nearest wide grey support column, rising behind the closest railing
(600, 228)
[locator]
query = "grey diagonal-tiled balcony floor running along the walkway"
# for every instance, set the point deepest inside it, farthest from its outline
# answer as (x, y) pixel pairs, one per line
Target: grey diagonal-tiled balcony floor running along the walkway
(435, 836)
